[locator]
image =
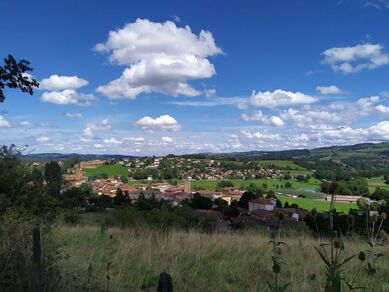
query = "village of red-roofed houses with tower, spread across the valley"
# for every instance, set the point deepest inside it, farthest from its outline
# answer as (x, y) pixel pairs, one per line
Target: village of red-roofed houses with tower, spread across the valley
(260, 211)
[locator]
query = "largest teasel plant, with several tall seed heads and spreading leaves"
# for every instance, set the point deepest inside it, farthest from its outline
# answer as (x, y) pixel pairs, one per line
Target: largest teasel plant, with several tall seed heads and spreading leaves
(332, 253)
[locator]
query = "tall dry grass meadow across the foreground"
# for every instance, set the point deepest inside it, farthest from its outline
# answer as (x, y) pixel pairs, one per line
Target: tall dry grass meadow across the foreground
(132, 259)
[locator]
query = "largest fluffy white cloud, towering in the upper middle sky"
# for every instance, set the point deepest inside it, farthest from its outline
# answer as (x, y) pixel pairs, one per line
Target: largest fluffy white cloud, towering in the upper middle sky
(161, 57)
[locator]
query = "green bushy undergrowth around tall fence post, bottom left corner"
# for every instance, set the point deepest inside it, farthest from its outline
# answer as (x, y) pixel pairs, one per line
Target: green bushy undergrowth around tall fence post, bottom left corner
(16, 272)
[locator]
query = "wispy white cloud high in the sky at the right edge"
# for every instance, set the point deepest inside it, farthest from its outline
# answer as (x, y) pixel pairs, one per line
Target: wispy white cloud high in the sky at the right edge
(357, 58)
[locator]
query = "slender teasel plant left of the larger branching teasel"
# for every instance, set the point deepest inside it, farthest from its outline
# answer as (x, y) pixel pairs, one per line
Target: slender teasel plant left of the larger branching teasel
(277, 262)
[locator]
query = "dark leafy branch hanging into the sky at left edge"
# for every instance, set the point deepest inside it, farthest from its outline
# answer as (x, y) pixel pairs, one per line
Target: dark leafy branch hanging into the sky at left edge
(12, 75)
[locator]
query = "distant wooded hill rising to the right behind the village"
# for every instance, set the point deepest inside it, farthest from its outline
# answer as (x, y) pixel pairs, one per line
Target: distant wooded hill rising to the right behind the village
(367, 159)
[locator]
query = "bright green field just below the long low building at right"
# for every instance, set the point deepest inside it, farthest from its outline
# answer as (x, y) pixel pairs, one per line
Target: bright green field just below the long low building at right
(309, 204)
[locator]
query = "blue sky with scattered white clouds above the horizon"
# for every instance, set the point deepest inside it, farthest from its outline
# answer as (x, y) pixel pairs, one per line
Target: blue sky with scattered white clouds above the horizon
(158, 77)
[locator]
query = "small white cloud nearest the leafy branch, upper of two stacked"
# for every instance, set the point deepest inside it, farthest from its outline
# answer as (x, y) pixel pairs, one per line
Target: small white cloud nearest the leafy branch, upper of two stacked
(55, 82)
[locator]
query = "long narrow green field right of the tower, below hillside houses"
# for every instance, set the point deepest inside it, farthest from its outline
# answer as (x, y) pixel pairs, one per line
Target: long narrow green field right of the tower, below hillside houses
(271, 183)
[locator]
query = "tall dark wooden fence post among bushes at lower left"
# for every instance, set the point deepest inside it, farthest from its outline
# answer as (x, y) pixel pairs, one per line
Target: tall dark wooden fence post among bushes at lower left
(36, 259)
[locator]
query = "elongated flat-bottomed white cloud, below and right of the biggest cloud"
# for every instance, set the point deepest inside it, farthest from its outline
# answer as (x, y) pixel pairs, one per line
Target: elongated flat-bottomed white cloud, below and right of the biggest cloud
(279, 98)
